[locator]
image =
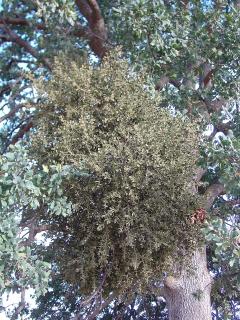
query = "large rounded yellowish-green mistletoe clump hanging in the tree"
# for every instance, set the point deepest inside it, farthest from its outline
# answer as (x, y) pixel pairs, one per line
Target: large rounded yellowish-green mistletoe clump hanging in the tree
(135, 162)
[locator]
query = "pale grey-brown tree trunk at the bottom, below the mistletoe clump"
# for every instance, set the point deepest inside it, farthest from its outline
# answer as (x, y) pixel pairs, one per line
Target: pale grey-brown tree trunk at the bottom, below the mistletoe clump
(188, 295)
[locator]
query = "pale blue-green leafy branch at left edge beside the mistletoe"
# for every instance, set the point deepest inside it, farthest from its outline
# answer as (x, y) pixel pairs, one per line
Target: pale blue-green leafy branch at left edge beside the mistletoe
(26, 189)
